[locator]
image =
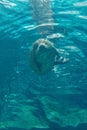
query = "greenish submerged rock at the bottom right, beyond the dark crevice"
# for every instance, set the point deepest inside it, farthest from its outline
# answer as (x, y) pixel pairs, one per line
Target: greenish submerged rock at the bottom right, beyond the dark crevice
(64, 112)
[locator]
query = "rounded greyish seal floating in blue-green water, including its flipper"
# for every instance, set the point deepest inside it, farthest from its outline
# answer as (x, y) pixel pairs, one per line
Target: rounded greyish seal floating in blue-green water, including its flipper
(44, 56)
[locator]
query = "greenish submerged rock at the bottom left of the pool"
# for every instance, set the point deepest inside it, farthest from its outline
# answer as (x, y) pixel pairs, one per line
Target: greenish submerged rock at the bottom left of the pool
(23, 119)
